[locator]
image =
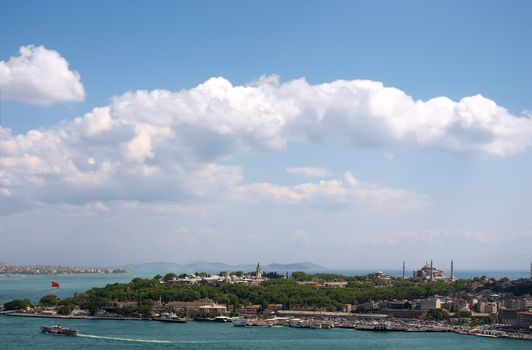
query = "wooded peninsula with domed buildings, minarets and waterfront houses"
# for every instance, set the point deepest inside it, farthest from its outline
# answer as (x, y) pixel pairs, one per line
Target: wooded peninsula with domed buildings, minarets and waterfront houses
(428, 301)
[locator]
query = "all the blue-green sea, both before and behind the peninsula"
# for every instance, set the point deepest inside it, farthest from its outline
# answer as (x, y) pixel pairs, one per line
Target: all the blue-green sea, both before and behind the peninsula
(23, 332)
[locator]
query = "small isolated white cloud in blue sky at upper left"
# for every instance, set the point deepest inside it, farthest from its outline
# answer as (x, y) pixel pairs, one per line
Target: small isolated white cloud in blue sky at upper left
(39, 76)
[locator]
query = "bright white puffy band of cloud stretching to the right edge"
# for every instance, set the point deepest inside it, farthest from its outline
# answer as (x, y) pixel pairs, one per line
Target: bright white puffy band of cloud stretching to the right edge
(266, 115)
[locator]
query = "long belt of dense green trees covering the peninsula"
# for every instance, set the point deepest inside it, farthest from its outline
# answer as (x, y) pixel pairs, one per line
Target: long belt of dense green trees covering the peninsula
(274, 291)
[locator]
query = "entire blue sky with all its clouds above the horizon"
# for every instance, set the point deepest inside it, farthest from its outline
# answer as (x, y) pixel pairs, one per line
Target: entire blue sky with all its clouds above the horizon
(349, 134)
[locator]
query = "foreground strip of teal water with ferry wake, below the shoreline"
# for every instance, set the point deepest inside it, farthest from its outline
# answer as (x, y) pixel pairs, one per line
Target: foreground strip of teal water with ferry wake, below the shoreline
(23, 333)
